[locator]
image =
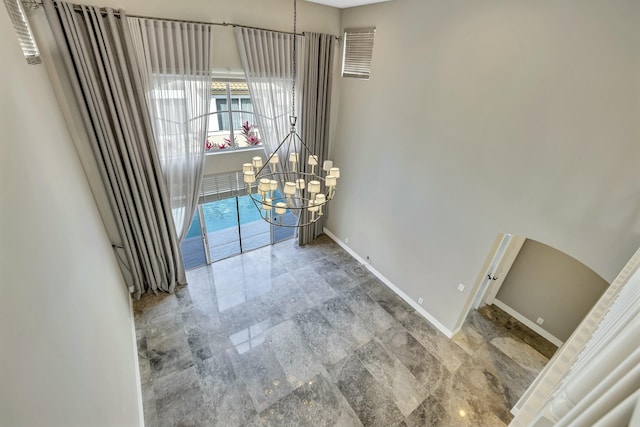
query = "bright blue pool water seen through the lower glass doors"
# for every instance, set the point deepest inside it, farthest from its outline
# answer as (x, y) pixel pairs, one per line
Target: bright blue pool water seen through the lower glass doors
(222, 214)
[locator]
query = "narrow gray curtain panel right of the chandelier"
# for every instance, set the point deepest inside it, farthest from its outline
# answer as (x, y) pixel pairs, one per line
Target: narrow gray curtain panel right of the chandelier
(317, 77)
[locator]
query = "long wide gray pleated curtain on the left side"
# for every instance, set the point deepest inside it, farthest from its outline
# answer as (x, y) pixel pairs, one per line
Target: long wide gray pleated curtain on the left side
(96, 48)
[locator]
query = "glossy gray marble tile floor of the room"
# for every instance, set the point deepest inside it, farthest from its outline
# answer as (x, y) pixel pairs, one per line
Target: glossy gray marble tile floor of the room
(294, 336)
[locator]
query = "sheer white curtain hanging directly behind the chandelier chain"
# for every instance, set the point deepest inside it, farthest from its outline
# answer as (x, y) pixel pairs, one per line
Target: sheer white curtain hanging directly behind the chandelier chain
(266, 59)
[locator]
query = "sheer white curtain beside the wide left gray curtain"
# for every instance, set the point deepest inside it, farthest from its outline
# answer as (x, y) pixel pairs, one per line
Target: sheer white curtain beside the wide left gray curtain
(175, 63)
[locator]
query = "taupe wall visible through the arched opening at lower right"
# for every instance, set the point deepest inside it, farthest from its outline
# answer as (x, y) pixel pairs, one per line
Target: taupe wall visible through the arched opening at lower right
(544, 282)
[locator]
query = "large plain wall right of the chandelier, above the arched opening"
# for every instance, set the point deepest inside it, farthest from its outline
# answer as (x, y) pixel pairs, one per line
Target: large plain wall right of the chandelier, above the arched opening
(487, 117)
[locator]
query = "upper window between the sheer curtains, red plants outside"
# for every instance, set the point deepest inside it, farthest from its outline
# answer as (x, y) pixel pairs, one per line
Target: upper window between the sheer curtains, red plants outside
(232, 123)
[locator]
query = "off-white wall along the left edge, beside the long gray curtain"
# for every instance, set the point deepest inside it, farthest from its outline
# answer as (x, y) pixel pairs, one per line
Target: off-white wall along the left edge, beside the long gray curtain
(67, 346)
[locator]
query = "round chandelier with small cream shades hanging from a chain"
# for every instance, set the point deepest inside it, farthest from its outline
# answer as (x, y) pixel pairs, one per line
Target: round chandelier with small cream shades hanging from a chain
(292, 178)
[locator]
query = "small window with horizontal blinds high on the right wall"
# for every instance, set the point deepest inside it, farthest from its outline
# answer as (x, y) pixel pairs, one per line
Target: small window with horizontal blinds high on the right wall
(358, 50)
